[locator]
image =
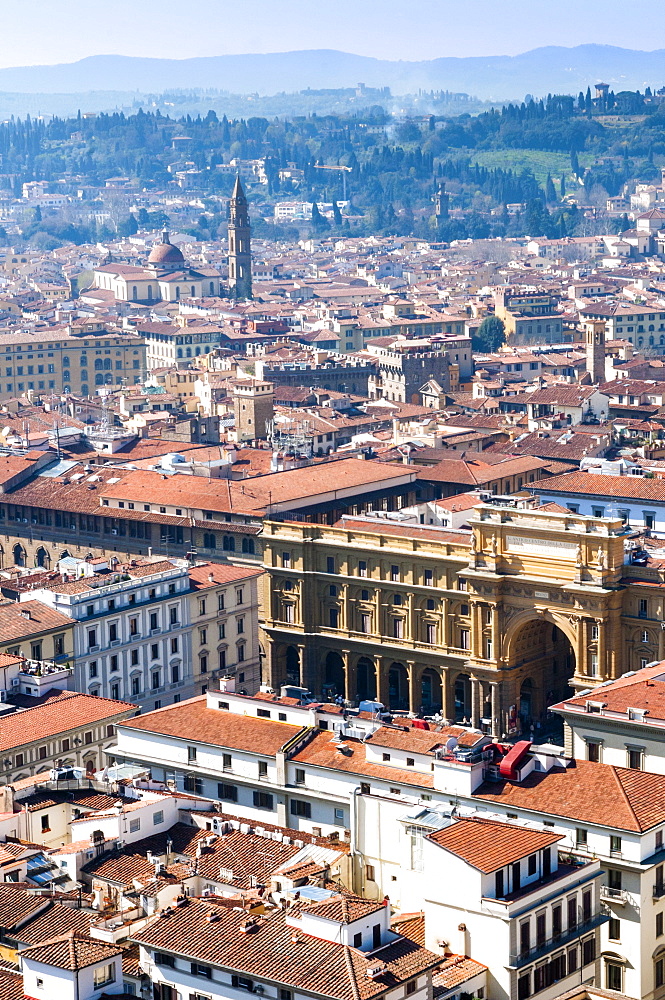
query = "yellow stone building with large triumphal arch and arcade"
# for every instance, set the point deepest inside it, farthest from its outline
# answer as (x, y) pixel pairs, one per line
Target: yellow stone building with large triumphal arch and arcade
(492, 625)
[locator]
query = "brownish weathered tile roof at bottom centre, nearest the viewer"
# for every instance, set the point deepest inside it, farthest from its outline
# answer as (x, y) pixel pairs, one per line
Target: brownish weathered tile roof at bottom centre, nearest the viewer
(278, 952)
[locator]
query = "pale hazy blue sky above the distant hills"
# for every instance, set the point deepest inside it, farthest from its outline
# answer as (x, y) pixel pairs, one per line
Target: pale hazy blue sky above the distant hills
(53, 31)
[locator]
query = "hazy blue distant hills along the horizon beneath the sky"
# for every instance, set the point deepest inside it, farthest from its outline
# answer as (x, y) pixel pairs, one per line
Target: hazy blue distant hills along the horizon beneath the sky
(540, 71)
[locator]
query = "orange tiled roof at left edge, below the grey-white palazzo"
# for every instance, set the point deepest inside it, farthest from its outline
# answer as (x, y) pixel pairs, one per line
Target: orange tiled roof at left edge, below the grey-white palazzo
(72, 711)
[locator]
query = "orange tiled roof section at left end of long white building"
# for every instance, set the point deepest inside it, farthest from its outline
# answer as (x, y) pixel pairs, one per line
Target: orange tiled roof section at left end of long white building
(193, 720)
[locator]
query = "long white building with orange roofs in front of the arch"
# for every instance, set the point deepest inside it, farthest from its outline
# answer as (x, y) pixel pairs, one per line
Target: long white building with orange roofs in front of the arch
(271, 759)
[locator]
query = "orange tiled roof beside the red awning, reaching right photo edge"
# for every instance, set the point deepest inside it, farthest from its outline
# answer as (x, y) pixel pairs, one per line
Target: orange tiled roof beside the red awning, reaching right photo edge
(608, 796)
